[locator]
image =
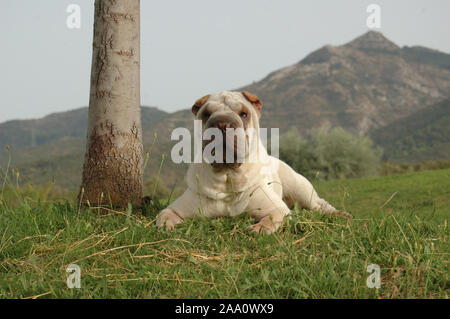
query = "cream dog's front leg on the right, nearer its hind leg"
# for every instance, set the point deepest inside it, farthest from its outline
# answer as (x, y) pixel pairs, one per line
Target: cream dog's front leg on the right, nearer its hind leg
(268, 209)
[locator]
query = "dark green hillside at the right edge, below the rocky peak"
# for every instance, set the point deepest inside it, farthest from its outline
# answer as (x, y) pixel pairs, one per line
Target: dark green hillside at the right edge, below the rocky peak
(424, 135)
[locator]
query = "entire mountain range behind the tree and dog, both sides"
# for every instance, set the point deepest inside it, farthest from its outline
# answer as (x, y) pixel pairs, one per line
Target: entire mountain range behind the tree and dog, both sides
(369, 86)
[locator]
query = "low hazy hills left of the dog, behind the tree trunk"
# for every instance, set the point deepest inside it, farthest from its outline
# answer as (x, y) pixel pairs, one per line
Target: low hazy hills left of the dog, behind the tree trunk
(52, 148)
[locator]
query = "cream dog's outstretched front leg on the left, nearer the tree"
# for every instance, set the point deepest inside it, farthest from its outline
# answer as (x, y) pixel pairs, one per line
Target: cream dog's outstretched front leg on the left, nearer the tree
(182, 208)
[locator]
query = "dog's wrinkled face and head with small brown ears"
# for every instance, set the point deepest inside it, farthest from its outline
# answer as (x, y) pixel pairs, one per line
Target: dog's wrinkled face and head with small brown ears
(231, 114)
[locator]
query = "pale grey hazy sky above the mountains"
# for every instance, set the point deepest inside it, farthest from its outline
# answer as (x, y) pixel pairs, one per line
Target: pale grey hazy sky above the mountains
(189, 48)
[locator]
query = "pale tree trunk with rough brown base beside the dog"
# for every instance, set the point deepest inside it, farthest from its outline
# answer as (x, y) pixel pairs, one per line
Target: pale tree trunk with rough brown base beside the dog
(113, 165)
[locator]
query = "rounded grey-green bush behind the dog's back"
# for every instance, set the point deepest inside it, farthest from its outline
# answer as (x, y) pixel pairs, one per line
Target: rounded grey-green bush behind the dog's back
(330, 154)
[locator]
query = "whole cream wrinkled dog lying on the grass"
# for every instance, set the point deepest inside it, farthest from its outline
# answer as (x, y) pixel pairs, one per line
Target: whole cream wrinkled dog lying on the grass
(256, 186)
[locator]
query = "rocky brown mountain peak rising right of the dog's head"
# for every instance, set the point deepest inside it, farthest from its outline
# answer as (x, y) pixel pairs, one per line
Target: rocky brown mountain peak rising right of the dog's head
(364, 84)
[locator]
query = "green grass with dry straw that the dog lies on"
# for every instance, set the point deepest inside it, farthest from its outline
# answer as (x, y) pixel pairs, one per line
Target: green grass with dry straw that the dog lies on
(400, 223)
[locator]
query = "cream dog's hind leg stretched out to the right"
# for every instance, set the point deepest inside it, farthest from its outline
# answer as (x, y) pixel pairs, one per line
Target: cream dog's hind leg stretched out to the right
(297, 188)
